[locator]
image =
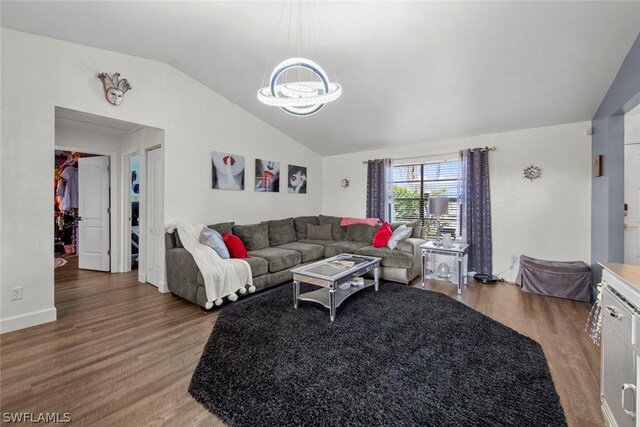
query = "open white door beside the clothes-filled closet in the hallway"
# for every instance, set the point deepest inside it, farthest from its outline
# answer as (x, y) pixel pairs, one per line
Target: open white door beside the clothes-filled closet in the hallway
(93, 212)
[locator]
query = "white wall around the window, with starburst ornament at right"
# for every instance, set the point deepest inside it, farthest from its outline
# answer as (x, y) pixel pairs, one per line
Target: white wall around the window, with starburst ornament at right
(548, 218)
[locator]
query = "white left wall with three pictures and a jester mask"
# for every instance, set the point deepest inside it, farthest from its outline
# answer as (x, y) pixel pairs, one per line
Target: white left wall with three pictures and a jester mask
(39, 73)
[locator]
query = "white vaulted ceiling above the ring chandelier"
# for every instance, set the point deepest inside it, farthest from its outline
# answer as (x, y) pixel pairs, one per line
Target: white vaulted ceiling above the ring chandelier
(411, 71)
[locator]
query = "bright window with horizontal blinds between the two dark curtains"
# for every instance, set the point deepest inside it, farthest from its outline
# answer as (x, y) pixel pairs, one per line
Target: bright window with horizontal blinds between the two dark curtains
(413, 184)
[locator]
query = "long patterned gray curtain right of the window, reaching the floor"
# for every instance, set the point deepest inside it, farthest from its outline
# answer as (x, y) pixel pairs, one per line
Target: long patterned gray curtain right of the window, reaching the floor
(475, 218)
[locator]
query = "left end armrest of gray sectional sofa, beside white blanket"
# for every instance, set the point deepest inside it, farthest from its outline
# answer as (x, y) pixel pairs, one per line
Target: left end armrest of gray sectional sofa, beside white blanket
(182, 273)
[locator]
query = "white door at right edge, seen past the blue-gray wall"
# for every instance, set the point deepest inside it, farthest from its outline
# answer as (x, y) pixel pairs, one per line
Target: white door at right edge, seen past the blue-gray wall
(632, 199)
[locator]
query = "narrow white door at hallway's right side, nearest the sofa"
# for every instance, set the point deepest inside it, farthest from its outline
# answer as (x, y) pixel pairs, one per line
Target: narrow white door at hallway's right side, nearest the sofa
(155, 228)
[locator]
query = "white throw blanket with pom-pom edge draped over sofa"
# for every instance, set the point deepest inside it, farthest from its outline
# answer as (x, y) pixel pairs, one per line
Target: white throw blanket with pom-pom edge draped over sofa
(222, 277)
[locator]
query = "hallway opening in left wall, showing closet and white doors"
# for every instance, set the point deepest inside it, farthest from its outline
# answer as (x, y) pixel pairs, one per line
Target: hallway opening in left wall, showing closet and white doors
(115, 154)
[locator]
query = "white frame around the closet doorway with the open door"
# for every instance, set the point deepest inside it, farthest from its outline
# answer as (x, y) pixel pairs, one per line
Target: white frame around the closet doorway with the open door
(114, 163)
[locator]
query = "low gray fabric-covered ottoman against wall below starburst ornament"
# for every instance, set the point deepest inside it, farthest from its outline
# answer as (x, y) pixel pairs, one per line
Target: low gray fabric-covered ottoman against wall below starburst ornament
(570, 279)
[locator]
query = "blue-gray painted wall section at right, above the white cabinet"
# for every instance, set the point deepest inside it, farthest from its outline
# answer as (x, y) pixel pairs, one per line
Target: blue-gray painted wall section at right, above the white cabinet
(607, 191)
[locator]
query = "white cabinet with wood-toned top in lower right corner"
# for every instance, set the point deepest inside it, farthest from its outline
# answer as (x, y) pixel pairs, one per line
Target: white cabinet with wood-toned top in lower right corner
(620, 344)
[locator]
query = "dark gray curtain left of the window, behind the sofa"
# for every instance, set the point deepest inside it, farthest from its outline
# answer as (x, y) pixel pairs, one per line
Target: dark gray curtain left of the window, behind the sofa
(379, 194)
